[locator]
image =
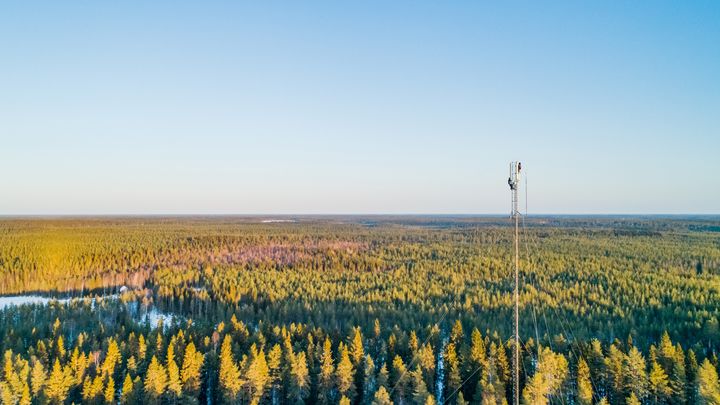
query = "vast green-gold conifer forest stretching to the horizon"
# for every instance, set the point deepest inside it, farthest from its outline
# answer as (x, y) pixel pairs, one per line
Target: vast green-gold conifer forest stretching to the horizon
(358, 310)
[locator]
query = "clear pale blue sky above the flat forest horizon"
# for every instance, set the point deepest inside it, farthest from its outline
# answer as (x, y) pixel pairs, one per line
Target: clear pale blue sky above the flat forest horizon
(358, 107)
